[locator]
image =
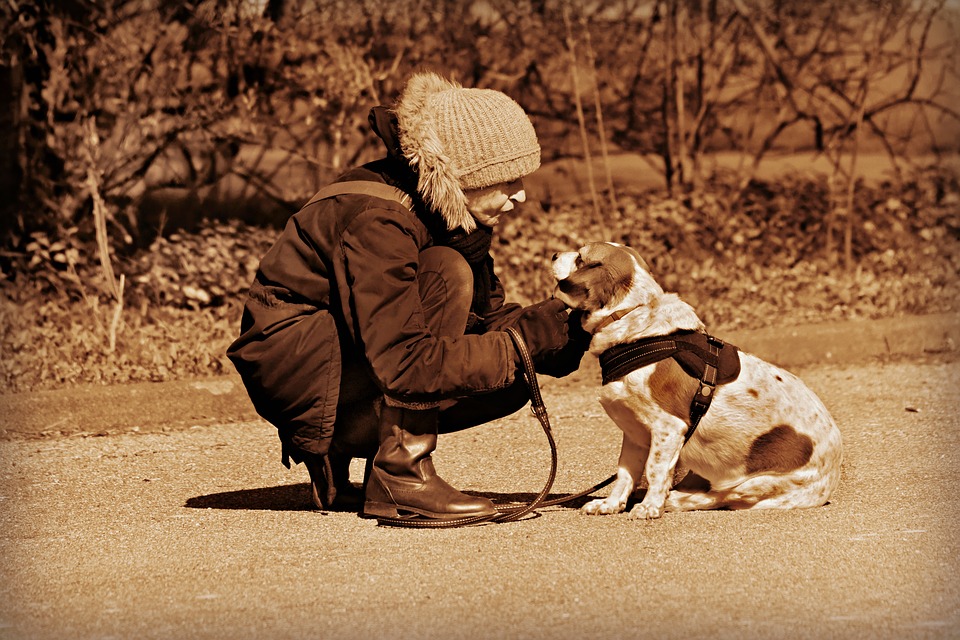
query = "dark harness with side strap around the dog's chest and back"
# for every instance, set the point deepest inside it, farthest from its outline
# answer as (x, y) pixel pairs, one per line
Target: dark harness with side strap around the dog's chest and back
(710, 360)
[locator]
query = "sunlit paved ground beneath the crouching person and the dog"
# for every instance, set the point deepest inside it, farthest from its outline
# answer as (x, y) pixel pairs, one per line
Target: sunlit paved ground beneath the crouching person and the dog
(195, 530)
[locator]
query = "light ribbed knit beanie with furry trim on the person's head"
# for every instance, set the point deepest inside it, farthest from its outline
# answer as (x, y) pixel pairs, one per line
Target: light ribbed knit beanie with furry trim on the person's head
(457, 138)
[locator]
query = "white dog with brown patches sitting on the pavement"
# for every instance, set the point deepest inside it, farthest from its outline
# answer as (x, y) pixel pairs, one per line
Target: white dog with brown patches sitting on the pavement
(766, 441)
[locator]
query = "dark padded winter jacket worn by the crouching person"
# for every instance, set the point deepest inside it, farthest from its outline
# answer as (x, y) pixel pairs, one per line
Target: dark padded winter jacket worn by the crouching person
(341, 283)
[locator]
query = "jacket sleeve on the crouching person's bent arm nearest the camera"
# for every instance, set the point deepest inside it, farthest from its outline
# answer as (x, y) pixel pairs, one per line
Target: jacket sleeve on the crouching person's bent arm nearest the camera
(413, 367)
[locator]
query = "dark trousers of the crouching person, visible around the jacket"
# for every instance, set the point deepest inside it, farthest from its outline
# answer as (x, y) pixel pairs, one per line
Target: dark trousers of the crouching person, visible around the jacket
(445, 283)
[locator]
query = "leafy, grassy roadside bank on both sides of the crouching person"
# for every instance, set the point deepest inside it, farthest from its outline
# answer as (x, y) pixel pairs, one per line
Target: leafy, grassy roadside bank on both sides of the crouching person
(761, 264)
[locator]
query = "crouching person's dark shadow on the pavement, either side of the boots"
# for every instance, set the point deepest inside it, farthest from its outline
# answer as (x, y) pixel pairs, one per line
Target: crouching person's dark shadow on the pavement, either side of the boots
(296, 497)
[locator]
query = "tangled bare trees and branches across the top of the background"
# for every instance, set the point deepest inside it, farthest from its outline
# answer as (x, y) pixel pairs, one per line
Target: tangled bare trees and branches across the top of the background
(193, 96)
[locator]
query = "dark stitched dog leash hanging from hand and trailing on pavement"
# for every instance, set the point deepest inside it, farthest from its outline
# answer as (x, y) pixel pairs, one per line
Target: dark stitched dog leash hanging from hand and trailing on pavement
(510, 513)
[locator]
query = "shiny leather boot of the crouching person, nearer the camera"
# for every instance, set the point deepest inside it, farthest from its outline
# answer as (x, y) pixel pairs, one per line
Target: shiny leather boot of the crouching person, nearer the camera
(403, 482)
